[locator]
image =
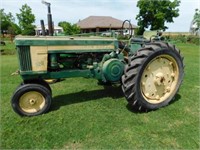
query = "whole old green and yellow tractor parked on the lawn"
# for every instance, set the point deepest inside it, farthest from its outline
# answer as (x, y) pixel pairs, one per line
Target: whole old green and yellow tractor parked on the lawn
(150, 71)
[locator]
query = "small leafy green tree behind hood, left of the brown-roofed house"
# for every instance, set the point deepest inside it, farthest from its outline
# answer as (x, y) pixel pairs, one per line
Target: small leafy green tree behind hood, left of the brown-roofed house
(69, 29)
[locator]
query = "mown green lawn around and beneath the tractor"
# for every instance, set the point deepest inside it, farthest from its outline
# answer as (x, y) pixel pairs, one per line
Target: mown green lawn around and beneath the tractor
(85, 115)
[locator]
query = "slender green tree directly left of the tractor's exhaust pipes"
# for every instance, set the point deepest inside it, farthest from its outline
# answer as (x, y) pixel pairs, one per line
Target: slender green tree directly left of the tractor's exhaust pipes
(26, 18)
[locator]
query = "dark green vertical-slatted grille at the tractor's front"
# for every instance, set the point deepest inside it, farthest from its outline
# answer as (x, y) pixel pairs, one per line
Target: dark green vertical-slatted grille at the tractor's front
(24, 58)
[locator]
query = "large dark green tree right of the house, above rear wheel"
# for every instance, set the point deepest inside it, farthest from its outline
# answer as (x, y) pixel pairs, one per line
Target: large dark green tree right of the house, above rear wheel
(155, 13)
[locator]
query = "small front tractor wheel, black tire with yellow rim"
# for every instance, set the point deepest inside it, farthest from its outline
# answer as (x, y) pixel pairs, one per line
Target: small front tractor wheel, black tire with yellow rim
(31, 100)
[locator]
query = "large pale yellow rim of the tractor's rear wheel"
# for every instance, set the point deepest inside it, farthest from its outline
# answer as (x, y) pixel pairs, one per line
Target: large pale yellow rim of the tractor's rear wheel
(159, 79)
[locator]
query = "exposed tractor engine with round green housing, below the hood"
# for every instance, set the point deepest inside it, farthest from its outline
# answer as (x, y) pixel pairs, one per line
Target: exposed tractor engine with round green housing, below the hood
(106, 67)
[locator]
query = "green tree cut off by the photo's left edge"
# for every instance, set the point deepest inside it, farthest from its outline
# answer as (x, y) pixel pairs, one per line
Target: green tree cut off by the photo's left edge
(8, 23)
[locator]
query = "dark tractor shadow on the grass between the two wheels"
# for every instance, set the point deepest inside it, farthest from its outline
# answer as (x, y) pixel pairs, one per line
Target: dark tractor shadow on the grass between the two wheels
(114, 92)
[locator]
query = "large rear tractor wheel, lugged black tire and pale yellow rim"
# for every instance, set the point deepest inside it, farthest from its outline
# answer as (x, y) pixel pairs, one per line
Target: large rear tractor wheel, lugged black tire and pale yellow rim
(153, 76)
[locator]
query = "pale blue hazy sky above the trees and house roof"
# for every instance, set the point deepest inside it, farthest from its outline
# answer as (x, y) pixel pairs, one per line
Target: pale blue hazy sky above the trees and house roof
(74, 10)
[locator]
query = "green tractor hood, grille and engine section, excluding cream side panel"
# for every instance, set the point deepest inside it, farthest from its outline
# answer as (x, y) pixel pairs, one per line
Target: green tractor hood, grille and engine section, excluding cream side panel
(104, 64)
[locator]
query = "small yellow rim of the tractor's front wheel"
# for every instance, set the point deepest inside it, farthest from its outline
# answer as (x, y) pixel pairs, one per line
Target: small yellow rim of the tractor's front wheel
(32, 102)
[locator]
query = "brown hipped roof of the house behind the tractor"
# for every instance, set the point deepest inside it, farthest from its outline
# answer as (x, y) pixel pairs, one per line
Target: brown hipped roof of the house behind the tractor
(101, 22)
